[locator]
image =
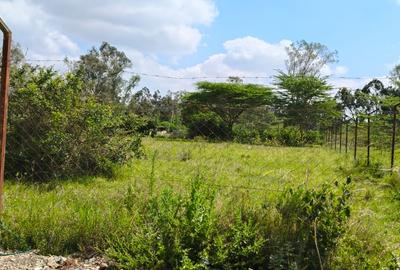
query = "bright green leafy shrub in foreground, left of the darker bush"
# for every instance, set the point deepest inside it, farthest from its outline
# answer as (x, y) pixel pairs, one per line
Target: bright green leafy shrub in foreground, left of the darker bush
(172, 231)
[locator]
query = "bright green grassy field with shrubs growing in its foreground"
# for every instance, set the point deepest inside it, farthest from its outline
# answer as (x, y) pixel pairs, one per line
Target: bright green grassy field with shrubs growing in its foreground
(201, 205)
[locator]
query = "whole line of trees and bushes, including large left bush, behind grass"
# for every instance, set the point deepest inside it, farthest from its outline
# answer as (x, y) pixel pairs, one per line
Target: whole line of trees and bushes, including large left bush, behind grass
(90, 118)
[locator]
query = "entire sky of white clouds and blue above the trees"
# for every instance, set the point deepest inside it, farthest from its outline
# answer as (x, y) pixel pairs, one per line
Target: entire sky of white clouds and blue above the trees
(212, 38)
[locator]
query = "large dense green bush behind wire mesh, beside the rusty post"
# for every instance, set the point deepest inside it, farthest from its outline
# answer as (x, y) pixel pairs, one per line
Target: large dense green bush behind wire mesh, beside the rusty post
(54, 131)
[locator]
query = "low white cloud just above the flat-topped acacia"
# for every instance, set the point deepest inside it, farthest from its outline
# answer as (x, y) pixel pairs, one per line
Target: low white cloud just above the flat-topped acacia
(247, 56)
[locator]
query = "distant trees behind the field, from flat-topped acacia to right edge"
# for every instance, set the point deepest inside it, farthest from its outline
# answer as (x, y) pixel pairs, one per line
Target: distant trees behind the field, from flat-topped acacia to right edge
(296, 111)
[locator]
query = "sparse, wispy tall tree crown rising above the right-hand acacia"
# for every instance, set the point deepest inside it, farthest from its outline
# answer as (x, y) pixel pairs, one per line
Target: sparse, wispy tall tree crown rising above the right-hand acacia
(308, 59)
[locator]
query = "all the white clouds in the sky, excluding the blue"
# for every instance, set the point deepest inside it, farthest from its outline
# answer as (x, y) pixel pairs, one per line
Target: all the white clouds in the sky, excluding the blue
(146, 31)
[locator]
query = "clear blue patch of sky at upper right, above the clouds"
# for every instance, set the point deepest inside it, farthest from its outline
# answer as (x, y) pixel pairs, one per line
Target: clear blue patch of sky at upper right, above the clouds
(364, 32)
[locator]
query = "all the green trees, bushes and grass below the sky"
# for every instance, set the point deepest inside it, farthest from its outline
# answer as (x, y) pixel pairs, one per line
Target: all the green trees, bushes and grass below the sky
(80, 152)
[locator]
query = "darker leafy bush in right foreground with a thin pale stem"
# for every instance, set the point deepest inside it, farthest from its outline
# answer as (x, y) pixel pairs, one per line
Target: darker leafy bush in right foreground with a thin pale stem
(311, 225)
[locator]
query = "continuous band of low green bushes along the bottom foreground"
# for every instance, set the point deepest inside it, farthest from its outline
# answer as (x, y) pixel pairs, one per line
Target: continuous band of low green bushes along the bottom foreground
(188, 232)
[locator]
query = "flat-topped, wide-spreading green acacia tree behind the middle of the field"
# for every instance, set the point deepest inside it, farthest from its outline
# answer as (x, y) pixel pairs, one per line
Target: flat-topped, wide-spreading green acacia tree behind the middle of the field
(223, 103)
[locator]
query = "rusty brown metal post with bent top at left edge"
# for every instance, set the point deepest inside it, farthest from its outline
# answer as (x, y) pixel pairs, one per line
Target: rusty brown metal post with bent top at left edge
(5, 82)
